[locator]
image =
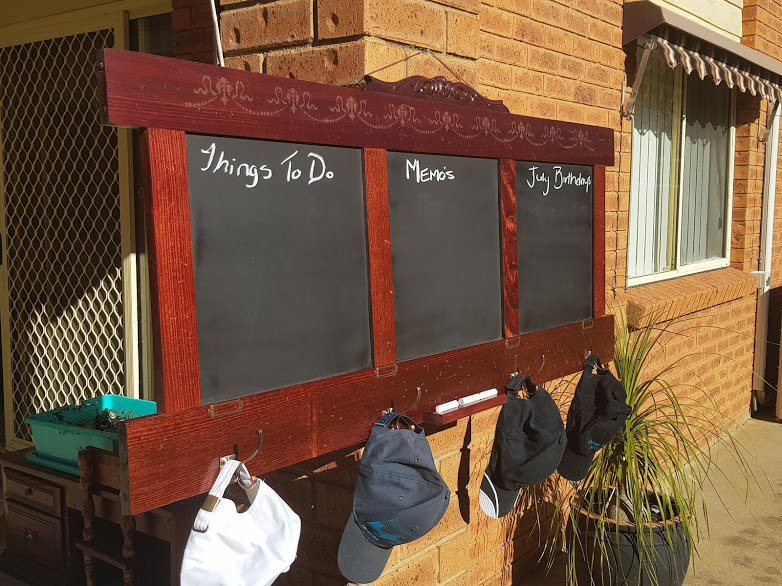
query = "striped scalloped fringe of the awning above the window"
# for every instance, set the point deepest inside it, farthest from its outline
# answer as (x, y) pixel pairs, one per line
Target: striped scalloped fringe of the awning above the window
(720, 65)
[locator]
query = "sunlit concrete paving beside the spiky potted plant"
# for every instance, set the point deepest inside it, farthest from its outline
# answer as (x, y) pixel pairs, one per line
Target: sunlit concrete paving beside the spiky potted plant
(744, 547)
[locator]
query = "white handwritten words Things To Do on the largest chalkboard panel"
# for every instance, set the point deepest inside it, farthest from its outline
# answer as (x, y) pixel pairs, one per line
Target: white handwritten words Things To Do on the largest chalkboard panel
(253, 174)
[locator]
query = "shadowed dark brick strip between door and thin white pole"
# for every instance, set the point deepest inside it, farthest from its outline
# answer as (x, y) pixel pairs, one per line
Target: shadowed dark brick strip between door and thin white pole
(191, 21)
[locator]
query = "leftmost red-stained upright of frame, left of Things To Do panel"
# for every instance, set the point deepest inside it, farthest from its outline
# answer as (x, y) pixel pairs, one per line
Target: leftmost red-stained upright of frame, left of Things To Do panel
(172, 285)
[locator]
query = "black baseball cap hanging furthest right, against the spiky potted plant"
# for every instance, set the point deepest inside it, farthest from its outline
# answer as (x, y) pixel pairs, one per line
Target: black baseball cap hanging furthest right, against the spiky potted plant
(597, 413)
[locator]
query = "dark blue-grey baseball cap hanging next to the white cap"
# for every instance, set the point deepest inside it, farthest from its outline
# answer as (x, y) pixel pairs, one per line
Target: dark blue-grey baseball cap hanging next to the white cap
(399, 497)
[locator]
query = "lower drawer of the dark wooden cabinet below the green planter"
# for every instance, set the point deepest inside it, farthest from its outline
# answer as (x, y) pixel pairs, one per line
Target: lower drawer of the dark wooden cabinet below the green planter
(35, 536)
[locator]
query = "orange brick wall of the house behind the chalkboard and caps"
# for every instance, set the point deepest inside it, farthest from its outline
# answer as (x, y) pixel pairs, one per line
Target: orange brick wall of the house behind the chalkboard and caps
(548, 58)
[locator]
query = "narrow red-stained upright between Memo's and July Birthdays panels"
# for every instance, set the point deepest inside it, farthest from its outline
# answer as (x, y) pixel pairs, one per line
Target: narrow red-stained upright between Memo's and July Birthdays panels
(510, 252)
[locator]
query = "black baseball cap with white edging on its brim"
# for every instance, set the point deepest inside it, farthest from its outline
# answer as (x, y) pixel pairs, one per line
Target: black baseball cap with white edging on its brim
(528, 445)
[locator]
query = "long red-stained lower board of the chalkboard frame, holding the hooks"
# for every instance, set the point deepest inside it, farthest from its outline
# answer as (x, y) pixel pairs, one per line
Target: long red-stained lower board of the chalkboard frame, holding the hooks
(173, 456)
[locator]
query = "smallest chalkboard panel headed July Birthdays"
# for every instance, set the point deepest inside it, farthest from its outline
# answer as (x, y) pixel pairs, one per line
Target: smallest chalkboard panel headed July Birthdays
(554, 223)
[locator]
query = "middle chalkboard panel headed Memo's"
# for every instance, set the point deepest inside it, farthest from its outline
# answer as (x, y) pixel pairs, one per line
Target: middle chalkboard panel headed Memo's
(445, 252)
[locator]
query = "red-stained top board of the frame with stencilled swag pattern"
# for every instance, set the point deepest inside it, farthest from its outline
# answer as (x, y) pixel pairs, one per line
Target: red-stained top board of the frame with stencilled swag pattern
(156, 92)
